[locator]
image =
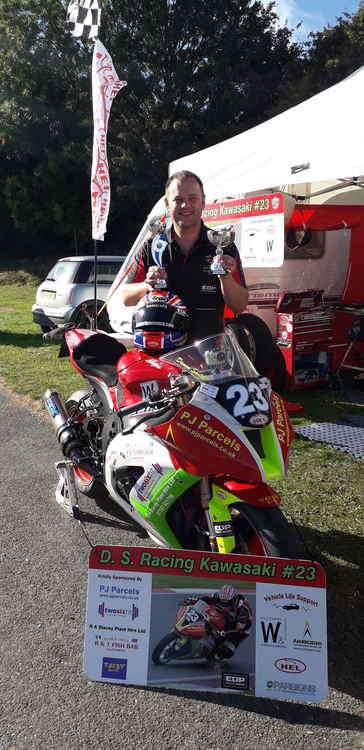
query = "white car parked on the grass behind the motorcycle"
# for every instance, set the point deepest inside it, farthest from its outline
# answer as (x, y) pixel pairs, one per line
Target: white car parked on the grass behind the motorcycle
(67, 293)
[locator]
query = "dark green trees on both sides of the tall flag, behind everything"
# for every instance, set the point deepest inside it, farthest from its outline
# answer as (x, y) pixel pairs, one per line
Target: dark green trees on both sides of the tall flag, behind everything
(197, 73)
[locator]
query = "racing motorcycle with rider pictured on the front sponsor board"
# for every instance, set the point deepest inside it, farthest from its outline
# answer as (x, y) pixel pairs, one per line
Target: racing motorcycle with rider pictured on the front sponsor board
(199, 632)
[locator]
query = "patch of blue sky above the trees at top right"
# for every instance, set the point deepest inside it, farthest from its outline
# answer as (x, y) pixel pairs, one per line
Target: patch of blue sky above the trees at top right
(313, 14)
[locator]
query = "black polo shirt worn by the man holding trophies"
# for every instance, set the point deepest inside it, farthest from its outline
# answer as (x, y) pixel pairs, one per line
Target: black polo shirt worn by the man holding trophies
(190, 277)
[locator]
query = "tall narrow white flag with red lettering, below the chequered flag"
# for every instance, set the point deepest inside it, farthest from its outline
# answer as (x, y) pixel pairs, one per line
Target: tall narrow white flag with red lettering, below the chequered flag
(105, 86)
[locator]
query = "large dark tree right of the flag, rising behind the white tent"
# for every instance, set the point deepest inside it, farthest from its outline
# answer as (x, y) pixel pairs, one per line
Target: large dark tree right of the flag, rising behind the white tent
(197, 73)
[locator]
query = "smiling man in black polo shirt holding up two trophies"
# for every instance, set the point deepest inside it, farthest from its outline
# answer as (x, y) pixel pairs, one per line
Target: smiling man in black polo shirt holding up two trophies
(187, 263)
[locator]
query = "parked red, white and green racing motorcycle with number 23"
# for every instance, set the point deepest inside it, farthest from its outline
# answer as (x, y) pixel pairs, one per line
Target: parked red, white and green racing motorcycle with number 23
(184, 443)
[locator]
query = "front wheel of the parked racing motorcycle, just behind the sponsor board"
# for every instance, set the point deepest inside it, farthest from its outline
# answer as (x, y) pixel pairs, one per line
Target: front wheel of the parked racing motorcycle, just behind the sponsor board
(264, 531)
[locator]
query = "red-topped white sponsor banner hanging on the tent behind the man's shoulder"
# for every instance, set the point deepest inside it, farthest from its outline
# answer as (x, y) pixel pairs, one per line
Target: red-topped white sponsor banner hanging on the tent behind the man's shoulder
(258, 223)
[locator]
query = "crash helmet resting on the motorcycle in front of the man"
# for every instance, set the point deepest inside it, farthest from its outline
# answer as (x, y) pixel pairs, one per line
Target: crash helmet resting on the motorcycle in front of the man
(160, 322)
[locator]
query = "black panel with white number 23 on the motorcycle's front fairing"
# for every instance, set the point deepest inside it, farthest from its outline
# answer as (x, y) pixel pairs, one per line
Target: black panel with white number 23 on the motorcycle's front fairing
(247, 401)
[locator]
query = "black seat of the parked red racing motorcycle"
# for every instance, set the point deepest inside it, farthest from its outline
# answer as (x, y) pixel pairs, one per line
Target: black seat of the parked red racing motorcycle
(98, 355)
